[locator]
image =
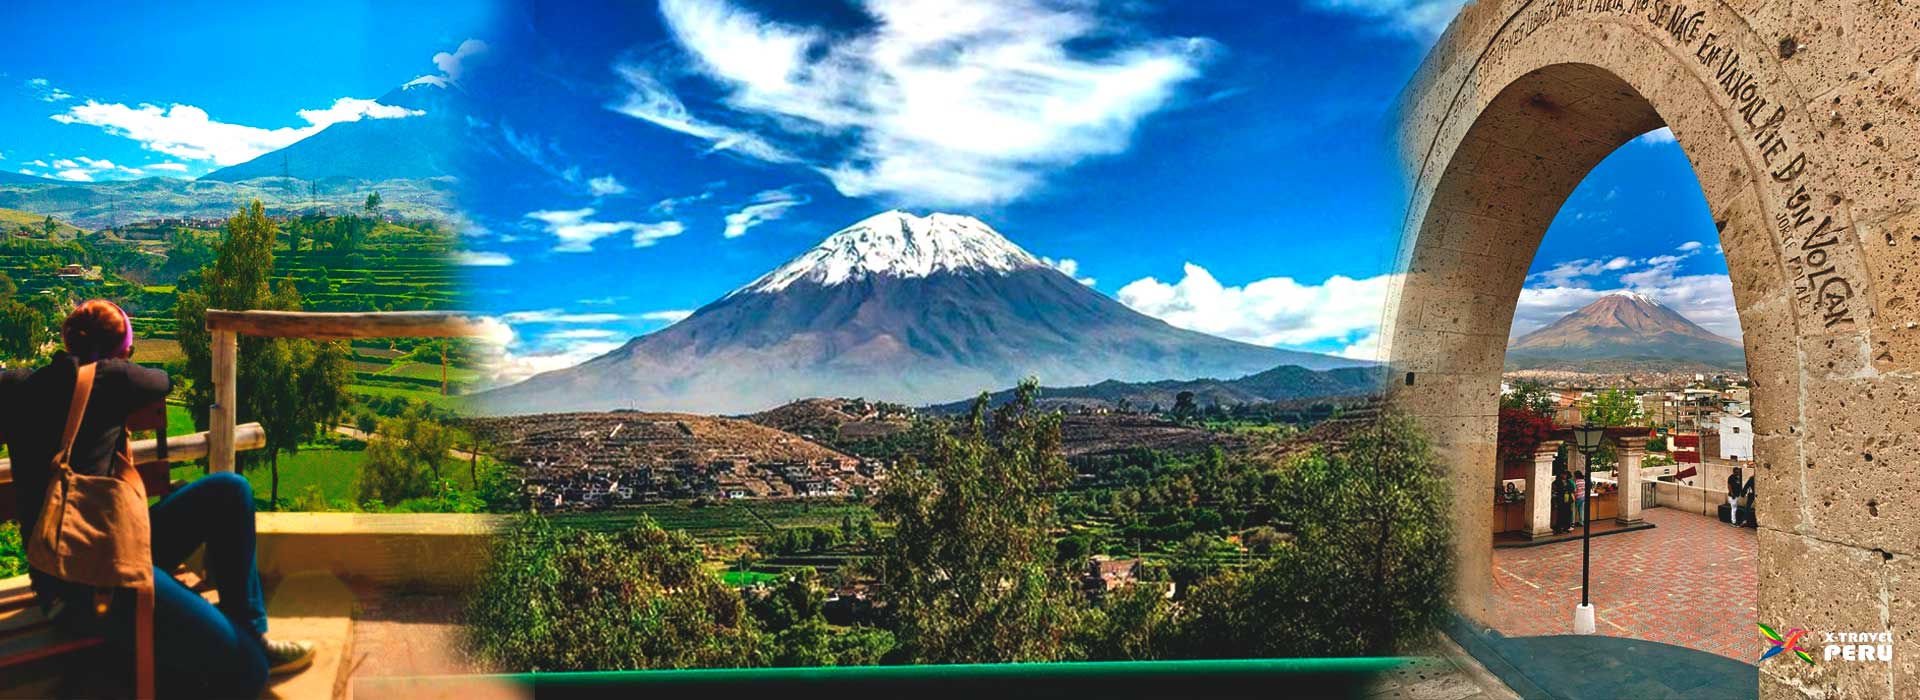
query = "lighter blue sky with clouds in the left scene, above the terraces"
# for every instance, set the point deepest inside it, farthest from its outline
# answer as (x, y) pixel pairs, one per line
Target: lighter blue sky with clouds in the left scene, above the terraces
(114, 91)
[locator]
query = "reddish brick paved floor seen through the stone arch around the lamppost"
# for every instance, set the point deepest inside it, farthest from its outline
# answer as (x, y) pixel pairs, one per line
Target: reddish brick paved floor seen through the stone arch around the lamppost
(1689, 582)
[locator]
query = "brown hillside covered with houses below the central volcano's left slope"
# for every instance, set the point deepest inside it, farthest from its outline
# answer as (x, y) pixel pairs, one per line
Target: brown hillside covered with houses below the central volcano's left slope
(627, 438)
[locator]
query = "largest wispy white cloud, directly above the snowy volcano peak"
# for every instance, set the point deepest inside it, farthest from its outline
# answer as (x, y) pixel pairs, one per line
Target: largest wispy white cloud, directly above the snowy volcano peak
(934, 105)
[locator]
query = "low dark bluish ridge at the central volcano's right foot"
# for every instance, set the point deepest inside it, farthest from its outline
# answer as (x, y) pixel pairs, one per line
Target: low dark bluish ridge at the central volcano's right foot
(1278, 385)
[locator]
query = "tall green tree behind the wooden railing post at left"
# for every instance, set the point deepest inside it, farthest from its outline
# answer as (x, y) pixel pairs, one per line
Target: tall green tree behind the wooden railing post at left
(291, 386)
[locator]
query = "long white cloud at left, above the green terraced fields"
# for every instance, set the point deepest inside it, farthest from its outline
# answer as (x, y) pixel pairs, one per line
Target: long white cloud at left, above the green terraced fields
(189, 133)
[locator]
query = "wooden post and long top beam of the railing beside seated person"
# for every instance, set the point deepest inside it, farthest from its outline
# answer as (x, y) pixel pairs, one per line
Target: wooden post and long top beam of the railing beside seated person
(228, 327)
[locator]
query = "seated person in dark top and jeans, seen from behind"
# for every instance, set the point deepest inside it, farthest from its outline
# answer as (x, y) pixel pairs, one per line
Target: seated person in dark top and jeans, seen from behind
(201, 649)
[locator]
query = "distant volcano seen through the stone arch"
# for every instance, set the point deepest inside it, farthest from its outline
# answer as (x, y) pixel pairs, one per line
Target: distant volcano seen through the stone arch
(1620, 333)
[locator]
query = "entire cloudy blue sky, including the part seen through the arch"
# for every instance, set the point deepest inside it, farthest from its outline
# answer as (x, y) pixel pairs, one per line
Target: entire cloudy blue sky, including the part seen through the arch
(1216, 168)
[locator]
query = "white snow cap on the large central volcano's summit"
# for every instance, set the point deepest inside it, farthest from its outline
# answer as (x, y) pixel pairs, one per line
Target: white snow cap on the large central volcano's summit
(900, 245)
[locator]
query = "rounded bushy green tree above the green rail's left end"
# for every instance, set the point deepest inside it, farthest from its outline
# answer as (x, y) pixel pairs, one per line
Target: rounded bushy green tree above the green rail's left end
(558, 599)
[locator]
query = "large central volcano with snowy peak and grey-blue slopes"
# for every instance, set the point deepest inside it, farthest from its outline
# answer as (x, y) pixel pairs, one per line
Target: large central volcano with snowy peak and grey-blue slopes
(896, 308)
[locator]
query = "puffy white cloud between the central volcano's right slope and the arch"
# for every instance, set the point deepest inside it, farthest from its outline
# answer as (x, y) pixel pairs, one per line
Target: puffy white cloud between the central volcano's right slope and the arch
(1274, 312)
